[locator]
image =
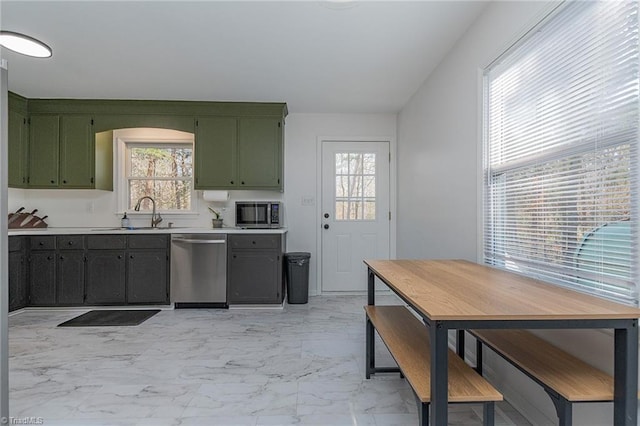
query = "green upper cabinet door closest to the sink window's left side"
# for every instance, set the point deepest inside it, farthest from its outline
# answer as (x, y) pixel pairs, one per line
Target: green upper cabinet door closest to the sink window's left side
(77, 152)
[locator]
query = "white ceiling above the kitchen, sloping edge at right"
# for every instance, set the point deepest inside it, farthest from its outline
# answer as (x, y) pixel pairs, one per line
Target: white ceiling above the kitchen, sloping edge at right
(316, 56)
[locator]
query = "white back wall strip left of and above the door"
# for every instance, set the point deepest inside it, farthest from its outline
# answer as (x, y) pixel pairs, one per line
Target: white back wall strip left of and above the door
(301, 138)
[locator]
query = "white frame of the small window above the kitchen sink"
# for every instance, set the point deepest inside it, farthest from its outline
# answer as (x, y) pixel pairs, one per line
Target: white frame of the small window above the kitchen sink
(121, 147)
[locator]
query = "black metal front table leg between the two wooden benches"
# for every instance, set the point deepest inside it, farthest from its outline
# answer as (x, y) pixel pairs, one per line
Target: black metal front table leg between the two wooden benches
(439, 373)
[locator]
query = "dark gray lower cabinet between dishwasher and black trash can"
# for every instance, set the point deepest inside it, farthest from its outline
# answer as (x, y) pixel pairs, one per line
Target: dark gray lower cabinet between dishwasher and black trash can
(254, 269)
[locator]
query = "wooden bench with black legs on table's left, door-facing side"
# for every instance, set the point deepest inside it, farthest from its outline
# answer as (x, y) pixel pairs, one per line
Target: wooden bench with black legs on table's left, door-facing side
(407, 339)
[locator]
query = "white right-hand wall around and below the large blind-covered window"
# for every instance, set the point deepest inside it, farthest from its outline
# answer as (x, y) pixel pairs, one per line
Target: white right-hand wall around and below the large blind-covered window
(439, 184)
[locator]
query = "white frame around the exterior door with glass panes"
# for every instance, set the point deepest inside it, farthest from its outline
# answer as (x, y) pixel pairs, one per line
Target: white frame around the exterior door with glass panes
(392, 195)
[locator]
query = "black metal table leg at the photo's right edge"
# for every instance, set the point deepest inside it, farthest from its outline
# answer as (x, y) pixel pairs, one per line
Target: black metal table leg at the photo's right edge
(625, 398)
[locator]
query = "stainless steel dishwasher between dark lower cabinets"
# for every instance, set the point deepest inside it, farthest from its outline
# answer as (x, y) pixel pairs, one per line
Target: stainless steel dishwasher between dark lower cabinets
(199, 270)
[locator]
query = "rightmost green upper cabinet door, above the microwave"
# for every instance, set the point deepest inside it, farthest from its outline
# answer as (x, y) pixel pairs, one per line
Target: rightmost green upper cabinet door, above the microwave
(260, 153)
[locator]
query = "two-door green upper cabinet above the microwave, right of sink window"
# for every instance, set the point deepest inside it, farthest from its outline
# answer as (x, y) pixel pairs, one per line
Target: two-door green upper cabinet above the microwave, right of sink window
(238, 153)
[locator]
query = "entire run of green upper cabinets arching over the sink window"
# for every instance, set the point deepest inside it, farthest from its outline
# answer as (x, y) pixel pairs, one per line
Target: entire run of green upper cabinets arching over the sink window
(68, 143)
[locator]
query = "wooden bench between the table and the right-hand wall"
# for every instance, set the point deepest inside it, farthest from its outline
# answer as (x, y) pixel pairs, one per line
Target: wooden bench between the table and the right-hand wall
(565, 378)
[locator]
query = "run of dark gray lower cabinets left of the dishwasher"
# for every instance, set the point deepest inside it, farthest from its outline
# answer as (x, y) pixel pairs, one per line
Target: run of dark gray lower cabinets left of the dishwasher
(72, 270)
